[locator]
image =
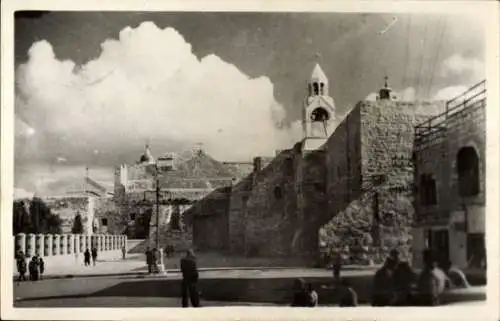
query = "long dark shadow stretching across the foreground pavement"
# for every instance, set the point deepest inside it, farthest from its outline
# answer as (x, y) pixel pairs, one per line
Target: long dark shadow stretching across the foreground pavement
(271, 290)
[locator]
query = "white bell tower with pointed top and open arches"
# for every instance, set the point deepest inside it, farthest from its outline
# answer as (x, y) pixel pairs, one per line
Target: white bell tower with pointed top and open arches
(318, 111)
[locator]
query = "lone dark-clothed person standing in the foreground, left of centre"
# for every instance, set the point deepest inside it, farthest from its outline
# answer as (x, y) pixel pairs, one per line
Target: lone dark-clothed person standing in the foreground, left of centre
(189, 280)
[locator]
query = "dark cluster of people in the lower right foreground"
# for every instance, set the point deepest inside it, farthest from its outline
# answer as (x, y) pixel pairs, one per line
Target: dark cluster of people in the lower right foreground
(394, 284)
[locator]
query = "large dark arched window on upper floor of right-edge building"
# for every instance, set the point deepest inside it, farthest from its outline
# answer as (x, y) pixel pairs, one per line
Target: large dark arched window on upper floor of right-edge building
(468, 172)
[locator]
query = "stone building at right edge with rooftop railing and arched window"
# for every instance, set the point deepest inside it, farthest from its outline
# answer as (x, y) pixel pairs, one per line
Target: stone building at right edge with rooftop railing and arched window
(450, 158)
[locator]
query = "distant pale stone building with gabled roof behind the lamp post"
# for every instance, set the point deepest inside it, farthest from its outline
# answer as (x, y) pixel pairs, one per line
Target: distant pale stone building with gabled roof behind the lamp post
(183, 180)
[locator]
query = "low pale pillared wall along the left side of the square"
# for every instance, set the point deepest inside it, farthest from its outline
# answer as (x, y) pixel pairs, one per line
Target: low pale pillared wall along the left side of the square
(69, 248)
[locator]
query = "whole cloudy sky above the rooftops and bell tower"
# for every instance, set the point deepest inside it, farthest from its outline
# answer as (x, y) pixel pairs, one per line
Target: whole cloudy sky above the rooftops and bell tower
(92, 88)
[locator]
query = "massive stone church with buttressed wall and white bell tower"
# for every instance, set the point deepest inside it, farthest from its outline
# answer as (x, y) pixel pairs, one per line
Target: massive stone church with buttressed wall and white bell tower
(347, 186)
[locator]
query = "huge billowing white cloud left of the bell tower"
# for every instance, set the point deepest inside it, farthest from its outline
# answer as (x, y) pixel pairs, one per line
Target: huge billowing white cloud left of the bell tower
(148, 84)
